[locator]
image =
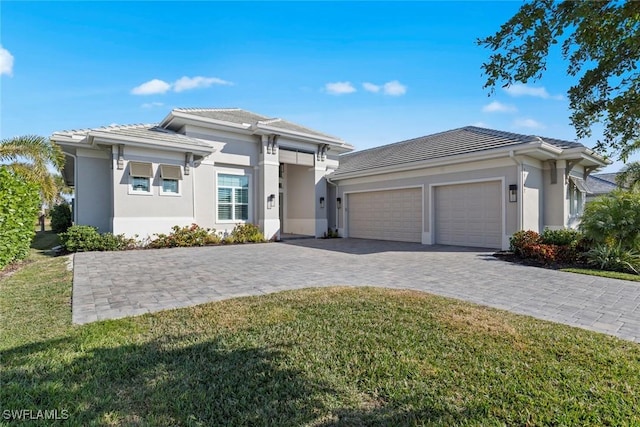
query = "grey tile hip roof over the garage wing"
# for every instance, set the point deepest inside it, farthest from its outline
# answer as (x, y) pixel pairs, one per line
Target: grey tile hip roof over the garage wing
(464, 140)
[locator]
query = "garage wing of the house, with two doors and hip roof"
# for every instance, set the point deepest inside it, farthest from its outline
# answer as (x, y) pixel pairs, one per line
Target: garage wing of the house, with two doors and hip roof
(469, 186)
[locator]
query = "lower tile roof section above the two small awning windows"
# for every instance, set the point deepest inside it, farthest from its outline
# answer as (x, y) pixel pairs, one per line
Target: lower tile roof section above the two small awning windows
(146, 131)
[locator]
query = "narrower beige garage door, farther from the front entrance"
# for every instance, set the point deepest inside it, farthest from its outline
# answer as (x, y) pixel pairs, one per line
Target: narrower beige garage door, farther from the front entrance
(469, 215)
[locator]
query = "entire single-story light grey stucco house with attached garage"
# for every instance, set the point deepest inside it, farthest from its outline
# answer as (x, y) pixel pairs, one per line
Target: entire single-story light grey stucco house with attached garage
(220, 167)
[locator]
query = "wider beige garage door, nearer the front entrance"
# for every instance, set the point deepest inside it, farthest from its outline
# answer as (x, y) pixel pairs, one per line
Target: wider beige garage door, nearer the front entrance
(386, 215)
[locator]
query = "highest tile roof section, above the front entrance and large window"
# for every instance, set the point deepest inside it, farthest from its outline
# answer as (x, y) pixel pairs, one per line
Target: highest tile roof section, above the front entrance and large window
(240, 116)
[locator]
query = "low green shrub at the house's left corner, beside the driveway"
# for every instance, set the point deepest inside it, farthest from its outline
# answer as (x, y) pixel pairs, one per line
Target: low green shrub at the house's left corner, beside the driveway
(84, 238)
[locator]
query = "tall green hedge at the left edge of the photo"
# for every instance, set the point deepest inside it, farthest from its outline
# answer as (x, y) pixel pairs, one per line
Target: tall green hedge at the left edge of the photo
(19, 208)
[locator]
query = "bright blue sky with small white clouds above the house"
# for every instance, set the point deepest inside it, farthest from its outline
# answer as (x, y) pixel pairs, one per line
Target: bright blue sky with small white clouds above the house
(370, 73)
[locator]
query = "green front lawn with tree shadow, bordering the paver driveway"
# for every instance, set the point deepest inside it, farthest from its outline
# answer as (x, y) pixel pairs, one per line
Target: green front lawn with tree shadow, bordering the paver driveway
(319, 357)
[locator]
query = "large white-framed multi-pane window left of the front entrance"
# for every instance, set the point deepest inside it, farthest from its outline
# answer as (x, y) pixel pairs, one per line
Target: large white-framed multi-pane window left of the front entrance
(233, 198)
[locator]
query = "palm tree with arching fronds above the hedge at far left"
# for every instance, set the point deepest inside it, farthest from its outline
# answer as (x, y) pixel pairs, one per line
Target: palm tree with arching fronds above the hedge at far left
(30, 156)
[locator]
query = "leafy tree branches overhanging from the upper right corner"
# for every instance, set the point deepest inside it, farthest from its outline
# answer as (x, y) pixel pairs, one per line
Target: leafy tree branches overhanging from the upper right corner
(601, 42)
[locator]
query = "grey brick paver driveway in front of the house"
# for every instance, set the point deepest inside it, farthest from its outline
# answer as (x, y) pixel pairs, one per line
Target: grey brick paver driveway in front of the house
(109, 285)
